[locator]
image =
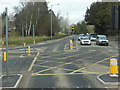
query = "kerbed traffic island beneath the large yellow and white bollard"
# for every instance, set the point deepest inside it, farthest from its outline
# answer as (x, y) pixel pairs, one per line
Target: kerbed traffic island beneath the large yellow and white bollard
(106, 79)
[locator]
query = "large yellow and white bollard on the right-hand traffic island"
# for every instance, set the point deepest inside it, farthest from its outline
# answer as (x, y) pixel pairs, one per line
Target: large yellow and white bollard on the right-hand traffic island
(113, 67)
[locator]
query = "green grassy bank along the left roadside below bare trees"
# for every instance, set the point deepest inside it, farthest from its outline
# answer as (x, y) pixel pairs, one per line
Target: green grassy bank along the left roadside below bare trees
(14, 41)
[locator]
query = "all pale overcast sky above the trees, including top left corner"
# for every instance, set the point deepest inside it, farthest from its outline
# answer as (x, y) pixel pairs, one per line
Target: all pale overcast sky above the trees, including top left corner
(73, 9)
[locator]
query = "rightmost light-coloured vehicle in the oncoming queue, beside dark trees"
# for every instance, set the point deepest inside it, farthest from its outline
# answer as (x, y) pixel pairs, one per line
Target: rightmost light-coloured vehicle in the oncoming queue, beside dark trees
(102, 40)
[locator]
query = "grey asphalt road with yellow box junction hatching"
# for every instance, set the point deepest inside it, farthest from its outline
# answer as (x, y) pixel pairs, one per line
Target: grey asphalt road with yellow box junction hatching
(53, 65)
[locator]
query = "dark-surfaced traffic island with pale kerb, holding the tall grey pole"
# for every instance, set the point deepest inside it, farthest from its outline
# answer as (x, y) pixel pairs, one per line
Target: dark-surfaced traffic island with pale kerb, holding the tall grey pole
(10, 81)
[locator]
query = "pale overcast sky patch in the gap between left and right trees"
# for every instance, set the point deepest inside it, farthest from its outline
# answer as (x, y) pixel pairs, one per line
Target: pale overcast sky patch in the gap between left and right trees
(73, 9)
